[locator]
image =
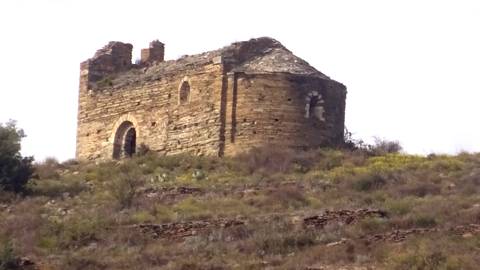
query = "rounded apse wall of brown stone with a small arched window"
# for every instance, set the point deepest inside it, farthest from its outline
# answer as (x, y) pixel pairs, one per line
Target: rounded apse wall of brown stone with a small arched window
(271, 109)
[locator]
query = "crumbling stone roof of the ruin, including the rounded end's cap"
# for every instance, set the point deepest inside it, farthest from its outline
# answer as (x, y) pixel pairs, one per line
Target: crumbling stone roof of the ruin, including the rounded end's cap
(259, 55)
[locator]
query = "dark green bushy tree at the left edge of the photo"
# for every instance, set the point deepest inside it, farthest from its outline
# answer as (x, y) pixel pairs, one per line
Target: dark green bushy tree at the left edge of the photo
(15, 170)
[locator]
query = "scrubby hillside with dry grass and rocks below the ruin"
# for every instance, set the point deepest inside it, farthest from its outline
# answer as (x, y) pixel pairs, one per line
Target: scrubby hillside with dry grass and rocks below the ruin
(270, 209)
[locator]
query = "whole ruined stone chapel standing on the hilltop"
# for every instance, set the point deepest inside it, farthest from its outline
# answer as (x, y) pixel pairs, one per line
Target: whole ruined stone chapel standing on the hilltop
(221, 102)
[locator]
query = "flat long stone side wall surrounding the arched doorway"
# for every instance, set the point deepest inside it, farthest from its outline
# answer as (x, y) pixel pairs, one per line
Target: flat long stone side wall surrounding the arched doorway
(161, 122)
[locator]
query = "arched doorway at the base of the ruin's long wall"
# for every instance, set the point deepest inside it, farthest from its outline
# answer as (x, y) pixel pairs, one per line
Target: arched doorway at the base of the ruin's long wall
(125, 141)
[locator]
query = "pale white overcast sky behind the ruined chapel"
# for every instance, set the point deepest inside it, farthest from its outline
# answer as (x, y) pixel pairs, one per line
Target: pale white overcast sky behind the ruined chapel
(412, 68)
